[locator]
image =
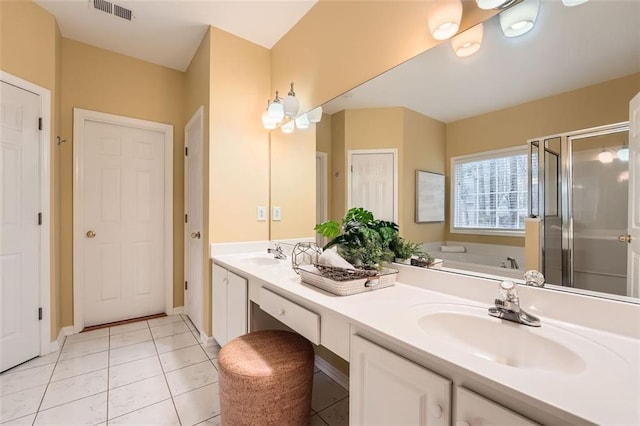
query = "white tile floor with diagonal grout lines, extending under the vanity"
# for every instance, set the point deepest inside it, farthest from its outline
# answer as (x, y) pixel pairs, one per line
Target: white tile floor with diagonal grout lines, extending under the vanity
(151, 372)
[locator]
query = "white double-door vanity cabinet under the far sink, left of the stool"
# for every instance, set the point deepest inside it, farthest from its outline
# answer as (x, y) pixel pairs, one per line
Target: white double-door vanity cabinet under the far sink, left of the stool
(229, 305)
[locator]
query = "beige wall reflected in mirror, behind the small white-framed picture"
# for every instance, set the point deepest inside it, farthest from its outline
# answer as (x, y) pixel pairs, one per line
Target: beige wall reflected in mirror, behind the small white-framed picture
(424, 149)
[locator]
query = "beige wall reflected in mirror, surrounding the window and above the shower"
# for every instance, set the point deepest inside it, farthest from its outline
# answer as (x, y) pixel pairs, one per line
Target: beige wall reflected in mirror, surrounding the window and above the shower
(592, 106)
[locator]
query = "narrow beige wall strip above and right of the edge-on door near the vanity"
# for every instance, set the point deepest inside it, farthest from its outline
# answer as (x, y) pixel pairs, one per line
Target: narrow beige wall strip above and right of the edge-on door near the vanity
(197, 94)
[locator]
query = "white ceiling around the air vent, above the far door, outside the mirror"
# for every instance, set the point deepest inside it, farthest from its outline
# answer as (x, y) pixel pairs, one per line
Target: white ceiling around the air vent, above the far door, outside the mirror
(168, 32)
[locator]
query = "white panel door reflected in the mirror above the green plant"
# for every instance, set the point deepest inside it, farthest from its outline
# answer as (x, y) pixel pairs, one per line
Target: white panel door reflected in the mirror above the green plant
(373, 184)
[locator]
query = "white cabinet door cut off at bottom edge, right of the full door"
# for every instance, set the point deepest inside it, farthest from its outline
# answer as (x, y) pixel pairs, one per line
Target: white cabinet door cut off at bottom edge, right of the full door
(475, 410)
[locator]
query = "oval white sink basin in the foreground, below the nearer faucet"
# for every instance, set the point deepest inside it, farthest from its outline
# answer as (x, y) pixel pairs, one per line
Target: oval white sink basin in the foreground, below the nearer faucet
(547, 348)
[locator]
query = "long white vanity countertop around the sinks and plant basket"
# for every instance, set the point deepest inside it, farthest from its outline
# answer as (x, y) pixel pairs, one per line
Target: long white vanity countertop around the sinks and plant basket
(605, 391)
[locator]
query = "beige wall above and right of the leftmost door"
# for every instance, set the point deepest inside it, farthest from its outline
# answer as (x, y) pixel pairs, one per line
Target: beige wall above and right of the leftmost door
(29, 49)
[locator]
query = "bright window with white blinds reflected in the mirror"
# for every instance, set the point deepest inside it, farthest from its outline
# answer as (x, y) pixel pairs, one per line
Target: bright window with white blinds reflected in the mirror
(490, 192)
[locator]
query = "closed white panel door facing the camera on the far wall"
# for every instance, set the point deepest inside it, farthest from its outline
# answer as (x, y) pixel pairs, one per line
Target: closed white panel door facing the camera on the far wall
(123, 218)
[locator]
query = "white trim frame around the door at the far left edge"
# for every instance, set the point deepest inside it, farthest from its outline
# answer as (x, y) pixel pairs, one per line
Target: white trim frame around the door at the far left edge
(45, 203)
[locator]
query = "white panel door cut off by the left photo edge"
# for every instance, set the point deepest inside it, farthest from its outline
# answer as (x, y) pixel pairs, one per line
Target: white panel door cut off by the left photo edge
(19, 233)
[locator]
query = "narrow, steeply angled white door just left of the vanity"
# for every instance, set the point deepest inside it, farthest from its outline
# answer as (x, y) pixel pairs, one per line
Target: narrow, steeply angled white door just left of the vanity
(193, 250)
